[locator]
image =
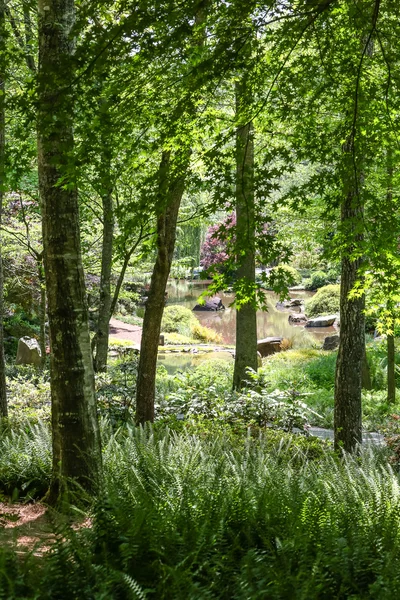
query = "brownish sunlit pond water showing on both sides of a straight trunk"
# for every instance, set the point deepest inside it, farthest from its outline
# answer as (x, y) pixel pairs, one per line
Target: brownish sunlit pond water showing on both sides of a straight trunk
(271, 323)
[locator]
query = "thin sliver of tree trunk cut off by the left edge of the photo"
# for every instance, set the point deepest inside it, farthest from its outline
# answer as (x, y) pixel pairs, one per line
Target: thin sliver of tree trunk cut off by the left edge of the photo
(3, 391)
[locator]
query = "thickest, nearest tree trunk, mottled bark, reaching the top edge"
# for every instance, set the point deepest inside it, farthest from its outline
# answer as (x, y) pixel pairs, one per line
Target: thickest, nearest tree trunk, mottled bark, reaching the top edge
(76, 440)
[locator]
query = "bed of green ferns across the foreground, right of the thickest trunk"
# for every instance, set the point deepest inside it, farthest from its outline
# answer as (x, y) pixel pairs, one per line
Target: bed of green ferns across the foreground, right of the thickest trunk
(277, 517)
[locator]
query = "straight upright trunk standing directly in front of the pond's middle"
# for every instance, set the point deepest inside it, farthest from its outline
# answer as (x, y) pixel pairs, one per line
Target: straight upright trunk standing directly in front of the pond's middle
(246, 316)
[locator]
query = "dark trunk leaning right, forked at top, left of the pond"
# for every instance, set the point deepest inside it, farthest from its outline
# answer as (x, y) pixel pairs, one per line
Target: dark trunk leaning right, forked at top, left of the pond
(170, 191)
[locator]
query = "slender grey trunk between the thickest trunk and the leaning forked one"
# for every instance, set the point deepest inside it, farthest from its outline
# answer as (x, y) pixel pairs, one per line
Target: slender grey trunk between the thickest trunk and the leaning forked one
(103, 323)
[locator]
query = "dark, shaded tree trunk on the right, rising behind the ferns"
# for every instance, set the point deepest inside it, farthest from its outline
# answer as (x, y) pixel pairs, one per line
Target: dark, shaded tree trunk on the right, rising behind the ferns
(348, 381)
